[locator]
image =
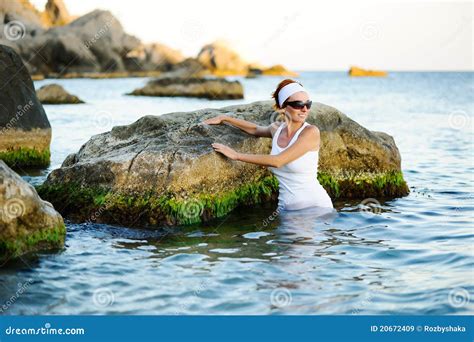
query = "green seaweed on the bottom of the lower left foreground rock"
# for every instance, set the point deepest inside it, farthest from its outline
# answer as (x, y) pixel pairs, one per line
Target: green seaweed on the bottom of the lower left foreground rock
(46, 238)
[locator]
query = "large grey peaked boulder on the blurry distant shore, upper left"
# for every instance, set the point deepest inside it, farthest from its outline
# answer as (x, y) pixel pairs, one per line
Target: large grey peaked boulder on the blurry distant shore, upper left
(95, 42)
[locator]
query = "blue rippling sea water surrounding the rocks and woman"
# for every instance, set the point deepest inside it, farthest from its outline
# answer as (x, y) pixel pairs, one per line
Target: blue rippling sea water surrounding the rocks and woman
(411, 255)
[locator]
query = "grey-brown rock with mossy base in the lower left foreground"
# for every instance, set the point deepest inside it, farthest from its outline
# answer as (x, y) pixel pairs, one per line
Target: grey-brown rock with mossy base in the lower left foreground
(27, 223)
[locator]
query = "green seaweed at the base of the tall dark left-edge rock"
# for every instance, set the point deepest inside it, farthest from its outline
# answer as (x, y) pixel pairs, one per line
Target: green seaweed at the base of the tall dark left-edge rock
(26, 157)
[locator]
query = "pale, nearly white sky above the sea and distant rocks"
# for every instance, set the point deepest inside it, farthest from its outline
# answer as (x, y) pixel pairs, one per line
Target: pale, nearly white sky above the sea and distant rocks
(307, 34)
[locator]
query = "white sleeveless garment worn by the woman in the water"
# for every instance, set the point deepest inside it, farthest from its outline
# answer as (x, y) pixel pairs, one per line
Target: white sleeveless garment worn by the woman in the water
(299, 186)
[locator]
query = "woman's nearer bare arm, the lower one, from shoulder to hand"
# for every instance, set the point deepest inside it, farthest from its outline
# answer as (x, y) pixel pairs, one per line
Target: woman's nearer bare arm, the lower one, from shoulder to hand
(308, 140)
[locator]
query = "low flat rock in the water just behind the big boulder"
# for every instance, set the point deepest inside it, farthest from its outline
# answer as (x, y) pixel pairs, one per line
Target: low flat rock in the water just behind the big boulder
(212, 89)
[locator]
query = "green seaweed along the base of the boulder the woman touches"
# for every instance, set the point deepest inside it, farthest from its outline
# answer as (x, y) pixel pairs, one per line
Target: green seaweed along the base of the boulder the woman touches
(101, 205)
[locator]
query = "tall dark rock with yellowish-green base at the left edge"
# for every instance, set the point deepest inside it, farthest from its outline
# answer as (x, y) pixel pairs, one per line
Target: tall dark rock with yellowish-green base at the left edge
(24, 127)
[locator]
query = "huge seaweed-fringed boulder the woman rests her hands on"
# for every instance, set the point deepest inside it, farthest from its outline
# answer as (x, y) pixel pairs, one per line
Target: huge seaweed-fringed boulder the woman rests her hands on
(162, 169)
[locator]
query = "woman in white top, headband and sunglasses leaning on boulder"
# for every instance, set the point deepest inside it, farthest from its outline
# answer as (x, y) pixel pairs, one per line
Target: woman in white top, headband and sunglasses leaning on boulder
(295, 149)
